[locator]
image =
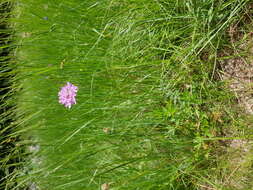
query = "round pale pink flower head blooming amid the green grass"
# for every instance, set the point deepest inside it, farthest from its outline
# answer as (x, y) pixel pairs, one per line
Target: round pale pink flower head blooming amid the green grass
(67, 95)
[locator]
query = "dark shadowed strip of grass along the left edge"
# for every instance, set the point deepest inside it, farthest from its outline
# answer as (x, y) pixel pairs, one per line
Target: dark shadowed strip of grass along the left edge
(9, 159)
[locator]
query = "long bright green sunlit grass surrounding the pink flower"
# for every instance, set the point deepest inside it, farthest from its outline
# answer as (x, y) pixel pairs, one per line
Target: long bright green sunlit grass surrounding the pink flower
(151, 112)
